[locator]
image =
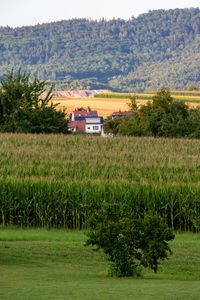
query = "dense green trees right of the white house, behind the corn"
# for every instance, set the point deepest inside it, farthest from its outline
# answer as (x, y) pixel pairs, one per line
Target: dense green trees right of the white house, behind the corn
(163, 117)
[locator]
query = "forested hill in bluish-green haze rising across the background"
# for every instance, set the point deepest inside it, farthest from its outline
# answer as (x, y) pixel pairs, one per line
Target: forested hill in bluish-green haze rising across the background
(160, 48)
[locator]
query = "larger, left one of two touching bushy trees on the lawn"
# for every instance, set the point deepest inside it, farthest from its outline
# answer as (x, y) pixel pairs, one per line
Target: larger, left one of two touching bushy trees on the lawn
(117, 236)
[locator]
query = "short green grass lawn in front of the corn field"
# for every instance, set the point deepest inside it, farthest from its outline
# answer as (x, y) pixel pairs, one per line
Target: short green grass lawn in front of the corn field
(41, 264)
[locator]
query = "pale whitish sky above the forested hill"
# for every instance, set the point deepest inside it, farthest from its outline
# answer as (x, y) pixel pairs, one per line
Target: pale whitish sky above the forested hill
(17, 13)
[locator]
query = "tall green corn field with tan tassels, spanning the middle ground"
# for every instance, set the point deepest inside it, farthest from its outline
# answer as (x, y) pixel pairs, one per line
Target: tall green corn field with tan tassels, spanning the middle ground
(56, 181)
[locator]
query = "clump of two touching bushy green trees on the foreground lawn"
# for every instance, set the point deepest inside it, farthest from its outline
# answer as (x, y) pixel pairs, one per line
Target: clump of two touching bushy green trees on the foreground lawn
(129, 242)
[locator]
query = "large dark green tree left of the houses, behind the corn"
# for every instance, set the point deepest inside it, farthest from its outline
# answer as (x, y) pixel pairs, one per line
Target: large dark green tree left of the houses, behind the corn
(23, 108)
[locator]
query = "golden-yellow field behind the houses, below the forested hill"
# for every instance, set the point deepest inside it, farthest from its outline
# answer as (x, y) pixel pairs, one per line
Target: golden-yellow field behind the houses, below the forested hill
(108, 103)
